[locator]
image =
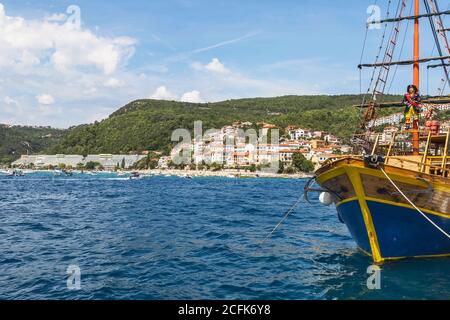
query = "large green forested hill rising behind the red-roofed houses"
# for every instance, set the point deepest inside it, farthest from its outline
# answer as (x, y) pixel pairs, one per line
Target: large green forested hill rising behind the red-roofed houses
(148, 124)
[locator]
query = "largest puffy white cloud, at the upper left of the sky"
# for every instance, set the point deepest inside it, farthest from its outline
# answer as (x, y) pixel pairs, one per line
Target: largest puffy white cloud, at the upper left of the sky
(33, 42)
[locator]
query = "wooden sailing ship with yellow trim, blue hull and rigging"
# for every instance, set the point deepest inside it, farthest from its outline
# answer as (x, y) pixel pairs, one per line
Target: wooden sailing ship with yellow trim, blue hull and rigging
(395, 196)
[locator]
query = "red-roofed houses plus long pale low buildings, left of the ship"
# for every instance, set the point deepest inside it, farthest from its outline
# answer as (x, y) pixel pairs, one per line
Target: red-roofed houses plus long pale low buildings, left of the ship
(212, 151)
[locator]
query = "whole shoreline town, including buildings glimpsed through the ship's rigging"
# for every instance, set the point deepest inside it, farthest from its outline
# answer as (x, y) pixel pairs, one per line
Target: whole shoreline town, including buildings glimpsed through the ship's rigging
(227, 149)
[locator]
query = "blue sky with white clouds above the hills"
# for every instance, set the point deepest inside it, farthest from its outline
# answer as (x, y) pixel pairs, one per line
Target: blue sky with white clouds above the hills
(64, 63)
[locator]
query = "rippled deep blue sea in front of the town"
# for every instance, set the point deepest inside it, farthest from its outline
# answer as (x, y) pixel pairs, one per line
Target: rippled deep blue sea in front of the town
(178, 238)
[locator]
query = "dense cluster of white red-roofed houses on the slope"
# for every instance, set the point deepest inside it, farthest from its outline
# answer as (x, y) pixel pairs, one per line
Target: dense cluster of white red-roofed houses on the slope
(231, 147)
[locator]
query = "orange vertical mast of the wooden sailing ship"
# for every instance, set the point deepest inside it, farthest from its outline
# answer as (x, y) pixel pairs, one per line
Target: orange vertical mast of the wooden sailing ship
(416, 67)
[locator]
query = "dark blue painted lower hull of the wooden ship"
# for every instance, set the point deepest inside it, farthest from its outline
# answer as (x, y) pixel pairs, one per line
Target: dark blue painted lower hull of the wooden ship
(401, 231)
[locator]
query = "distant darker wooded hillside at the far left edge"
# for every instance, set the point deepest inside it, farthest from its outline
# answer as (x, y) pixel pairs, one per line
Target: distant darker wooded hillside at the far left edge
(17, 140)
